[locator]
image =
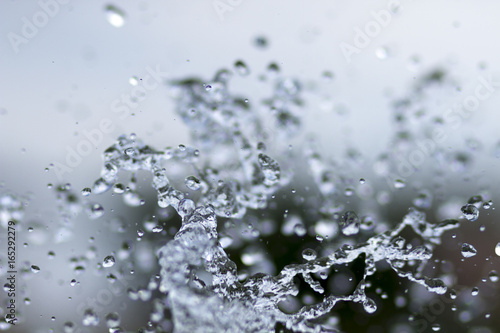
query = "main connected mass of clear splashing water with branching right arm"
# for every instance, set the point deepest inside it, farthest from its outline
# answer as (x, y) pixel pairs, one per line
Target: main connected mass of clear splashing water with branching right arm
(243, 181)
